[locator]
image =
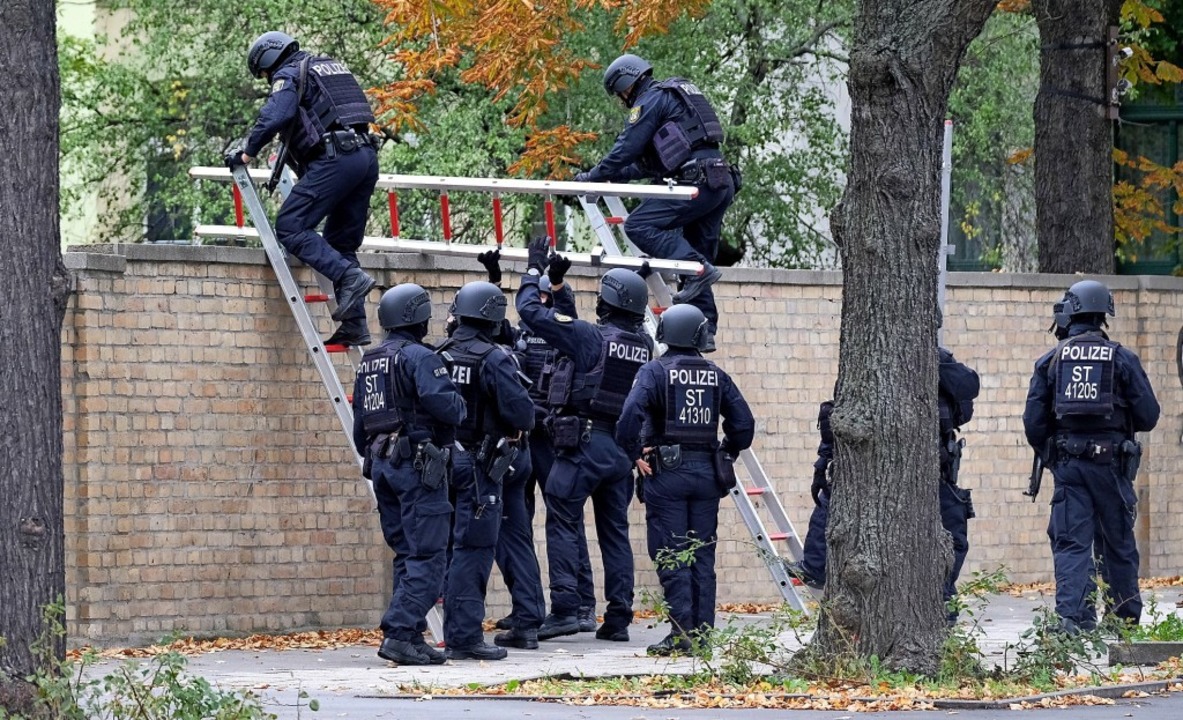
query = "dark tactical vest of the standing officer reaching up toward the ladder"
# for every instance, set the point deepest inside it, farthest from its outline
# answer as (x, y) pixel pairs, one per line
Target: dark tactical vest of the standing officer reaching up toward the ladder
(600, 393)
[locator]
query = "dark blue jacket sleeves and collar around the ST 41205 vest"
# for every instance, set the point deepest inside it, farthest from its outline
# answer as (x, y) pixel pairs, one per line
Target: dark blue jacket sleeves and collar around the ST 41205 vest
(1130, 386)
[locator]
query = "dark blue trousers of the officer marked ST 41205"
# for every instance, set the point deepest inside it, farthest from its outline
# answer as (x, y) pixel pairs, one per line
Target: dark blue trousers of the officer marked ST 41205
(1093, 497)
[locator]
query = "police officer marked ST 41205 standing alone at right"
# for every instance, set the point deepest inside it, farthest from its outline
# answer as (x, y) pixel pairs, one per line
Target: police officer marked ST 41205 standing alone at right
(1088, 398)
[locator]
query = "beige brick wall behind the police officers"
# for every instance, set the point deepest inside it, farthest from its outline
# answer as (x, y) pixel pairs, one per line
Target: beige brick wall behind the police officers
(210, 488)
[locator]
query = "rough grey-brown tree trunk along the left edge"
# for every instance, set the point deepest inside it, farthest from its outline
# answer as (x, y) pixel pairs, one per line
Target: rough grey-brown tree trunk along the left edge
(34, 291)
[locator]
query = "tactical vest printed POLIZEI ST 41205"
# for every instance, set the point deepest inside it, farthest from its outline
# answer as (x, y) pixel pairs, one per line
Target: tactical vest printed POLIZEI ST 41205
(1083, 369)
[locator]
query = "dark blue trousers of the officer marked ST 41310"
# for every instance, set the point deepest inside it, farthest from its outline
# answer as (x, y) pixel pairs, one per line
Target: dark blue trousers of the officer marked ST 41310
(681, 505)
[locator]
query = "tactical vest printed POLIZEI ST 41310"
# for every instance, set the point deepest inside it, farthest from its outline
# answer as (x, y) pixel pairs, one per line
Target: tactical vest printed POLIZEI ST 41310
(693, 400)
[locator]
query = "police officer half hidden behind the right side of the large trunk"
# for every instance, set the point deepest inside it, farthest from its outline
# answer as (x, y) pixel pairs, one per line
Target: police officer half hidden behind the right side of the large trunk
(958, 387)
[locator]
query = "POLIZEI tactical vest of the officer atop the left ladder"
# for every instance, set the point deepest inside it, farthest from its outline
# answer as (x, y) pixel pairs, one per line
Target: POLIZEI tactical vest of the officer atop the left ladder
(334, 101)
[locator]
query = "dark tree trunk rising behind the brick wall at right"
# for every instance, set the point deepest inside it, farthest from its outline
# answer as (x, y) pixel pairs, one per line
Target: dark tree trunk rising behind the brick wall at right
(1074, 138)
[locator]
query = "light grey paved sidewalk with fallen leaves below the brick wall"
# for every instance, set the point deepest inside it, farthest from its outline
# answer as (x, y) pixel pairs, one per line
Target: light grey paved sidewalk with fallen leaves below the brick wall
(340, 678)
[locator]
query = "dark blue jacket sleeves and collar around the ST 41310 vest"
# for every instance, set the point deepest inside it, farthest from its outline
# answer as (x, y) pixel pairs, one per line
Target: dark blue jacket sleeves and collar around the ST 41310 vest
(648, 397)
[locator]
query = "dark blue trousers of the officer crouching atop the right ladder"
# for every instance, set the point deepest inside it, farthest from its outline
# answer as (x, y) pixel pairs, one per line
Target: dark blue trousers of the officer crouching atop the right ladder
(678, 230)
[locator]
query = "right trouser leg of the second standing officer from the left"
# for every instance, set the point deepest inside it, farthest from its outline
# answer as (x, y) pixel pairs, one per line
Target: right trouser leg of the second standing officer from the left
(516, 557)
